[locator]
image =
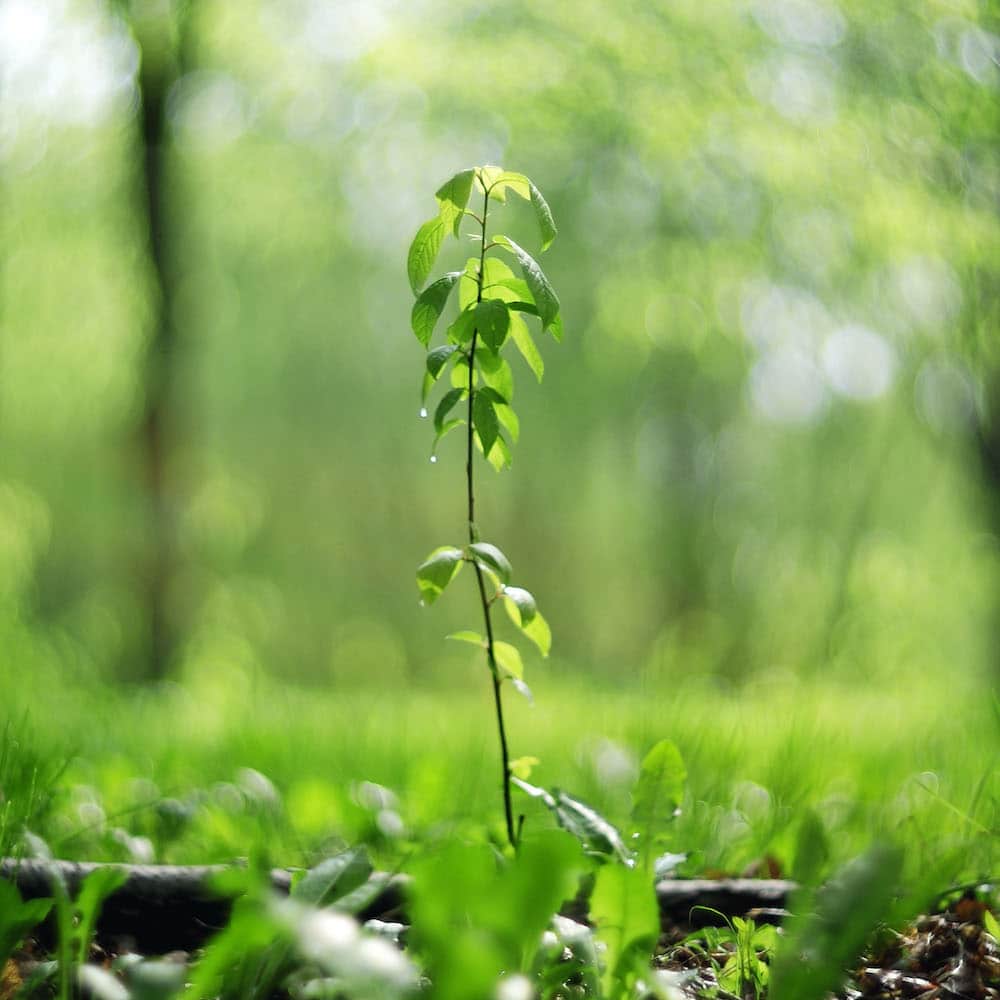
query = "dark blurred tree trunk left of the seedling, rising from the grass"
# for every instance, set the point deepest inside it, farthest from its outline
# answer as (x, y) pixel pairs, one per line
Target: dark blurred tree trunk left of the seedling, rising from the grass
(162, 35)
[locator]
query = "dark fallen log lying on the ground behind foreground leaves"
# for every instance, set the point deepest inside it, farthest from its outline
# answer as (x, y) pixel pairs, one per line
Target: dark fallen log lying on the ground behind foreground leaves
(163, 908)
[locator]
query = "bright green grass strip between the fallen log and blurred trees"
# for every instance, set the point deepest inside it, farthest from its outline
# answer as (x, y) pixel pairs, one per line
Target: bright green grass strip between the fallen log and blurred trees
(915, 763)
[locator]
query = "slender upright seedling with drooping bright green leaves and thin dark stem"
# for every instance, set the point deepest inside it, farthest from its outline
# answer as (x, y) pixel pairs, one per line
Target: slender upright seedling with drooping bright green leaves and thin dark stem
(493, 305)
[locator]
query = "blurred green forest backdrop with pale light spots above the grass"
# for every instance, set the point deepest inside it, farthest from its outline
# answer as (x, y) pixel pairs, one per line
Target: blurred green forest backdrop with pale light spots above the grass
(770, 440)
